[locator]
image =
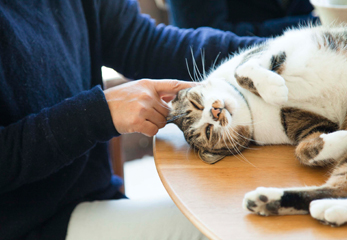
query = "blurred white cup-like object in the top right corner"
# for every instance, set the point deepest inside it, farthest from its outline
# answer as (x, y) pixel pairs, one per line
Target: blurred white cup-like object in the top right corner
(331, 12)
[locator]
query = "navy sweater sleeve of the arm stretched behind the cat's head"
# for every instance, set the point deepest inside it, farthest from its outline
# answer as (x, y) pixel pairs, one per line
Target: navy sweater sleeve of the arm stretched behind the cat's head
(134, 46)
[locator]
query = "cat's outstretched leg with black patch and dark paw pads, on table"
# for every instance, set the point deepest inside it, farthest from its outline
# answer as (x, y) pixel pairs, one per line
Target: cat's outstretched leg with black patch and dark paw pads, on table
(279, 201)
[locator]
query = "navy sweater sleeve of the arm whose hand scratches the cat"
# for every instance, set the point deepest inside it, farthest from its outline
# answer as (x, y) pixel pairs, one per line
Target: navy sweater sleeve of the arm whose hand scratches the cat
(40, 144)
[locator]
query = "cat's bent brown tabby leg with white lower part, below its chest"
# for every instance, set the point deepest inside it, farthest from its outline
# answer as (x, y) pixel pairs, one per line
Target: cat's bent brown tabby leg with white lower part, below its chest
(318, 141)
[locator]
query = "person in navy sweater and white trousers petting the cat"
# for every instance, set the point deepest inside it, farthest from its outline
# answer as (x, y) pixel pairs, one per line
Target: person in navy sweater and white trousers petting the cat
(55, 120)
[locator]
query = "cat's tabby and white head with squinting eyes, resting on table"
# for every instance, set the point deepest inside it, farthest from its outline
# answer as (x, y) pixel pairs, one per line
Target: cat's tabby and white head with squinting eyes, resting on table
(214, 118)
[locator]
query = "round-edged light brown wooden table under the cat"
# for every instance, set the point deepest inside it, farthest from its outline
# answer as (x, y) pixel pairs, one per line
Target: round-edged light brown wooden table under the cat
(211, 196)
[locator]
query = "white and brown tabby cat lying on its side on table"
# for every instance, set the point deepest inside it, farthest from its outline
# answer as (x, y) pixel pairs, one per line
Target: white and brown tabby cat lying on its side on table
(291, 89)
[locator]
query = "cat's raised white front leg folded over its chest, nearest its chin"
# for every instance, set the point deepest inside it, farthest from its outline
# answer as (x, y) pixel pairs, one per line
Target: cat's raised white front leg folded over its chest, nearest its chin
(261, 75)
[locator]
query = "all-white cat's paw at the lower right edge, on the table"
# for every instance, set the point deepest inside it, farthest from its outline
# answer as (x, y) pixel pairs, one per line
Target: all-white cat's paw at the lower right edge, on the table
(331, 212)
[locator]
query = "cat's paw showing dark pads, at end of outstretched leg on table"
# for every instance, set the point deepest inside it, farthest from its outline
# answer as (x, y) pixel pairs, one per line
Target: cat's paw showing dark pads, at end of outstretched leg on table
(263, 201)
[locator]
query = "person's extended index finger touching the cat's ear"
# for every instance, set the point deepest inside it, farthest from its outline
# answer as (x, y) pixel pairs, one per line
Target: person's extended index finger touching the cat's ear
(170, 87)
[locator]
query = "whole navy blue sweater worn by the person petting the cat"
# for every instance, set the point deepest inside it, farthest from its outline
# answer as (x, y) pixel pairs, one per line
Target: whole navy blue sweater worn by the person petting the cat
(54, 119)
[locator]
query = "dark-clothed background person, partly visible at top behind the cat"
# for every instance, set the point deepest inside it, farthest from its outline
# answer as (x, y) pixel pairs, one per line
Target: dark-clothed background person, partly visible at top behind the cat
(265, 18)
